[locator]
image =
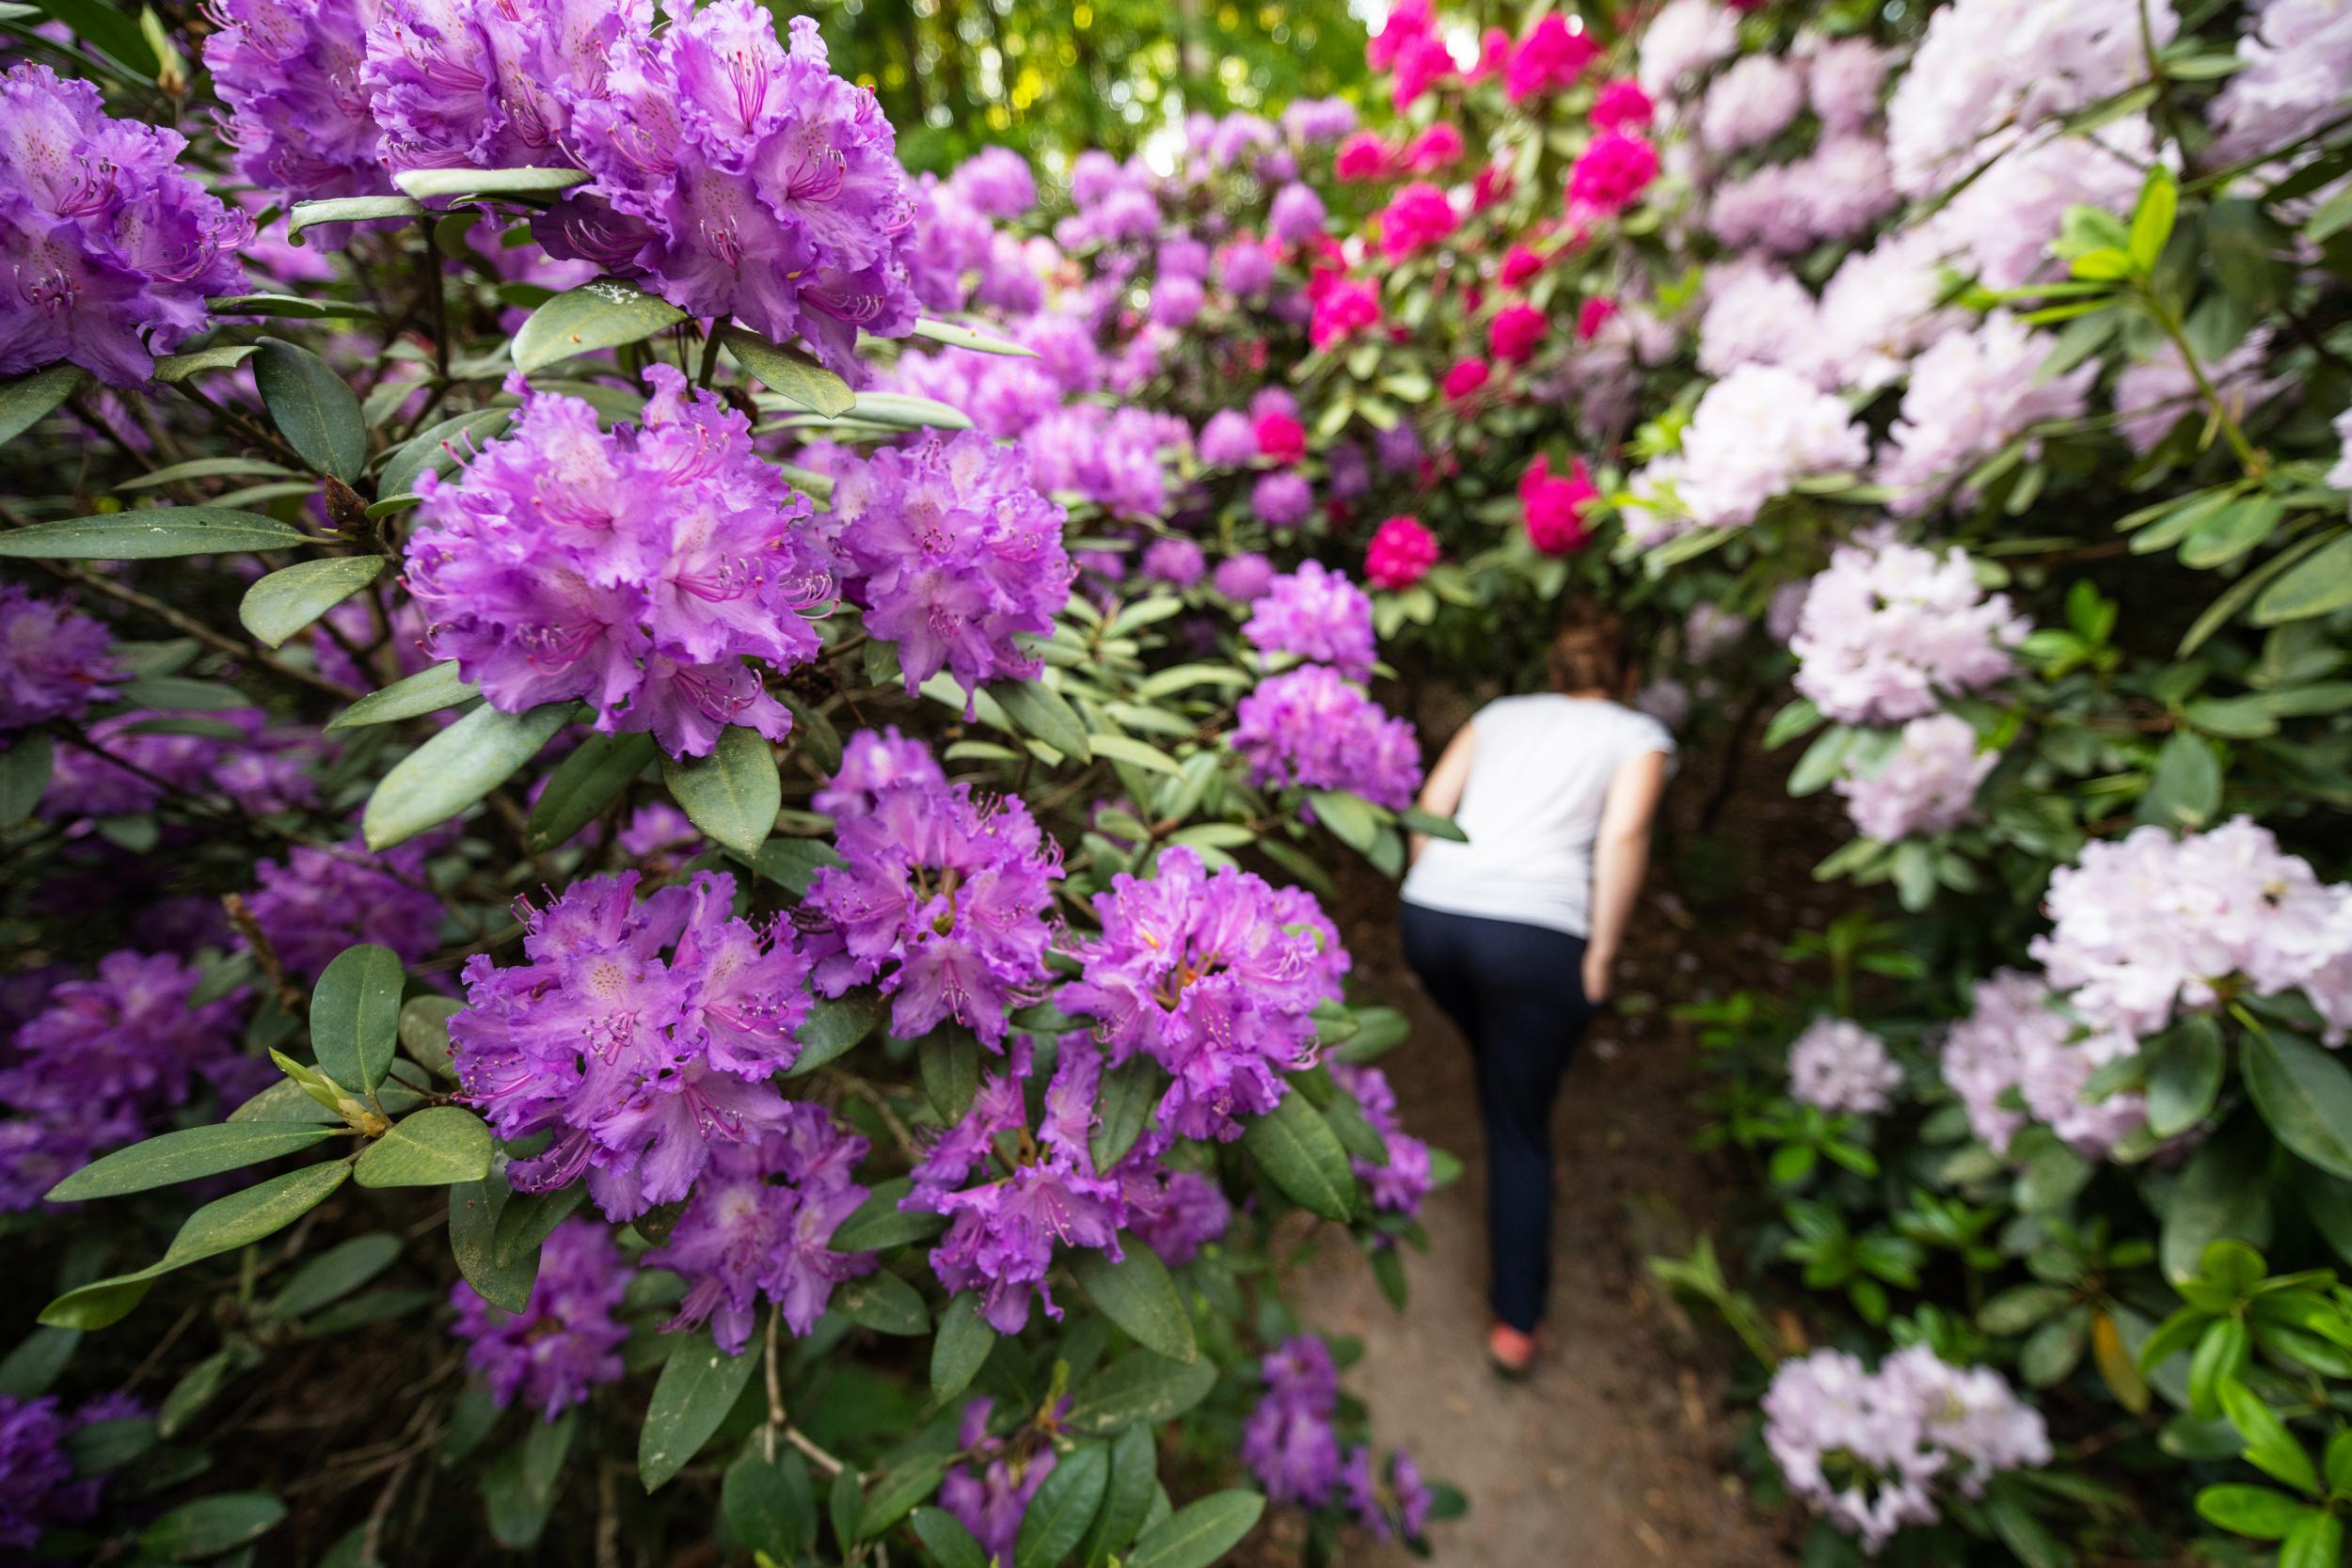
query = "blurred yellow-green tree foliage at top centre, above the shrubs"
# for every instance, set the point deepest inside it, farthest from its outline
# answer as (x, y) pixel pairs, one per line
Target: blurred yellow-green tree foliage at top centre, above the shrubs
(1057, 76)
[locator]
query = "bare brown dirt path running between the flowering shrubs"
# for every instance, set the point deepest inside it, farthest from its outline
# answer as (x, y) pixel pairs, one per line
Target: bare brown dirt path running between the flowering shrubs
(1615, 1452)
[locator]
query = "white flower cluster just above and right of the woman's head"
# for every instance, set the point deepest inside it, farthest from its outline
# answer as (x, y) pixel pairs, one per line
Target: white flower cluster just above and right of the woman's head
(1751, 438)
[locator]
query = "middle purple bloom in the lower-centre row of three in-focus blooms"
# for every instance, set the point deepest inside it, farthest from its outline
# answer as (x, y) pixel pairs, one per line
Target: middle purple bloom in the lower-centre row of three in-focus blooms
(944, 897)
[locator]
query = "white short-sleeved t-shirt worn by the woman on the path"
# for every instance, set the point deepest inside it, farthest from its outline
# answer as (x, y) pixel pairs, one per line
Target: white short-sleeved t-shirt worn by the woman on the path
(1532, 810)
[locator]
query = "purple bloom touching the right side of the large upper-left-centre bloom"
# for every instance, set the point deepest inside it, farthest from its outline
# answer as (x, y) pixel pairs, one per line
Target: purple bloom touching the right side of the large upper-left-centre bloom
(956, 554)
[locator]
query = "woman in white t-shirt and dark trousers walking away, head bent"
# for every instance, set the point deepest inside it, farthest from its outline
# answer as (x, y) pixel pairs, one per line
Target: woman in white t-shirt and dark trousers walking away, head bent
(1516, 932)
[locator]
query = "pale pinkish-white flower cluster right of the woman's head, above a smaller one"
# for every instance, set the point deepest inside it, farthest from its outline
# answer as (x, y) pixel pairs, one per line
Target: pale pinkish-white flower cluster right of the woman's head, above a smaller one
(1892, 629)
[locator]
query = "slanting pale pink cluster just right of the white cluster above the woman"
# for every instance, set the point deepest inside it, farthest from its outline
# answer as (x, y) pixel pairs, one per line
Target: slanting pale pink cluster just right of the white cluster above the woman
(1970, 394)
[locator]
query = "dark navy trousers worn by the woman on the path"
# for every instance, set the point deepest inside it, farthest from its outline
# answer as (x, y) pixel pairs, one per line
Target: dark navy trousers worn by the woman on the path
(1518, 996)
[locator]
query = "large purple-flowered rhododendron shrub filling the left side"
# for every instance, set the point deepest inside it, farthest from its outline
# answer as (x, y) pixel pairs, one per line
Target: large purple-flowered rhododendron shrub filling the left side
(662, 798)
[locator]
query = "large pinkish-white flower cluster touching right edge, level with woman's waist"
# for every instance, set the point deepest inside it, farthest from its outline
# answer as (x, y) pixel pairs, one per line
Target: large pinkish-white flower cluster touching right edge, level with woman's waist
(2156, 923)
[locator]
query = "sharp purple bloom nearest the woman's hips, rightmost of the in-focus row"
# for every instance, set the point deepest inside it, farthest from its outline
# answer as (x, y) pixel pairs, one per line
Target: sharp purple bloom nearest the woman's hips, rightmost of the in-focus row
(1212, 979)
